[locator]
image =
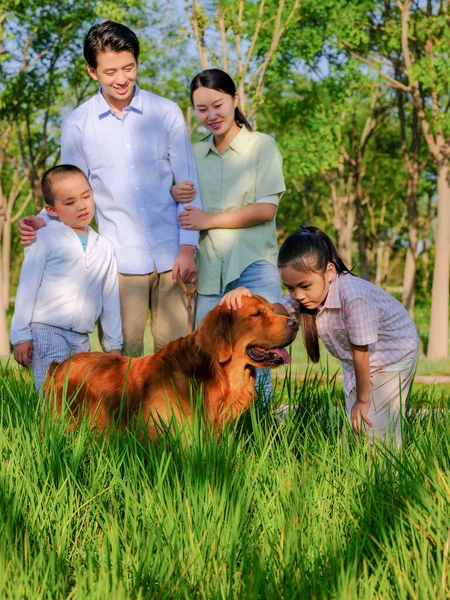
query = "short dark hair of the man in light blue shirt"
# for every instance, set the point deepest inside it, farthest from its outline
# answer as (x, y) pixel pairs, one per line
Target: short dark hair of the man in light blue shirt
(109, 37)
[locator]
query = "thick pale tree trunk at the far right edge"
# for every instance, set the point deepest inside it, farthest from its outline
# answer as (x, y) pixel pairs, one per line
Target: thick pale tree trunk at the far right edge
(438, 336)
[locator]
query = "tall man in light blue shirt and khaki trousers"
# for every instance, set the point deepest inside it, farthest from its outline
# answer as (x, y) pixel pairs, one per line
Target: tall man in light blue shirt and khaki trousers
(132, 145)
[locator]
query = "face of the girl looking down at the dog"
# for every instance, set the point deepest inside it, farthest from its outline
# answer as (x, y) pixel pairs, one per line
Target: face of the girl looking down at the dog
(311, 288)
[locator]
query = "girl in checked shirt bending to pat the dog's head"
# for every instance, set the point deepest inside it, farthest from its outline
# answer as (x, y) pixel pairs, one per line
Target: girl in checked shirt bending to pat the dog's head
(367, 329)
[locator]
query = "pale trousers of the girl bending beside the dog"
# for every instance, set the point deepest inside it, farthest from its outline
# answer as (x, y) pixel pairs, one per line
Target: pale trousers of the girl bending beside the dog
(389, 390)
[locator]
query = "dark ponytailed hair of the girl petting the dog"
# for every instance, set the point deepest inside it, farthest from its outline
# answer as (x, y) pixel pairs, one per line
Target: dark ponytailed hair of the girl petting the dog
(310, 250)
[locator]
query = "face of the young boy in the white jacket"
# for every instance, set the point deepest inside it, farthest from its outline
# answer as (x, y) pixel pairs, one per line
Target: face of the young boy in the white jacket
(74, 202)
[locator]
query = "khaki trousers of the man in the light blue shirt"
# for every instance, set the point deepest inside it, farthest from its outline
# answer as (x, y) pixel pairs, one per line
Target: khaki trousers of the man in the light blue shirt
(167, 304)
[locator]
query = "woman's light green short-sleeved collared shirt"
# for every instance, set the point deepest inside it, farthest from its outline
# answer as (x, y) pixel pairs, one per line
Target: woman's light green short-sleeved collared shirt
(248, 171)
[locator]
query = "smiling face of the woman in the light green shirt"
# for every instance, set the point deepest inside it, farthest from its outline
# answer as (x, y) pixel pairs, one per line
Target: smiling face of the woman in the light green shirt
(215, 110)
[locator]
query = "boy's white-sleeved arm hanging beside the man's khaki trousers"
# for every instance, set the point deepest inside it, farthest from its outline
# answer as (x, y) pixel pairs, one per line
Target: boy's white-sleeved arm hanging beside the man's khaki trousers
(110, 315)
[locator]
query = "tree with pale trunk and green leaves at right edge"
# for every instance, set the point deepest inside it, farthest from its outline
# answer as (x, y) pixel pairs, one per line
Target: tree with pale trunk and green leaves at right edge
(420, 35)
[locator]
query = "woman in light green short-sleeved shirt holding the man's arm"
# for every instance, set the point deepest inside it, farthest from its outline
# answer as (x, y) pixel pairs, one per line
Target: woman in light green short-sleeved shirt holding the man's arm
(241, 182)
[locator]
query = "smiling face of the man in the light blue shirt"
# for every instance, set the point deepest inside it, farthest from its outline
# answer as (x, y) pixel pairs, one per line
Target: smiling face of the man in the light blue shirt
(116, 72)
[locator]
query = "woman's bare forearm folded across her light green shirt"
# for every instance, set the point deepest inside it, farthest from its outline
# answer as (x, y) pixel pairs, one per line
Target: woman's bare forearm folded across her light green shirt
(253, 214)
